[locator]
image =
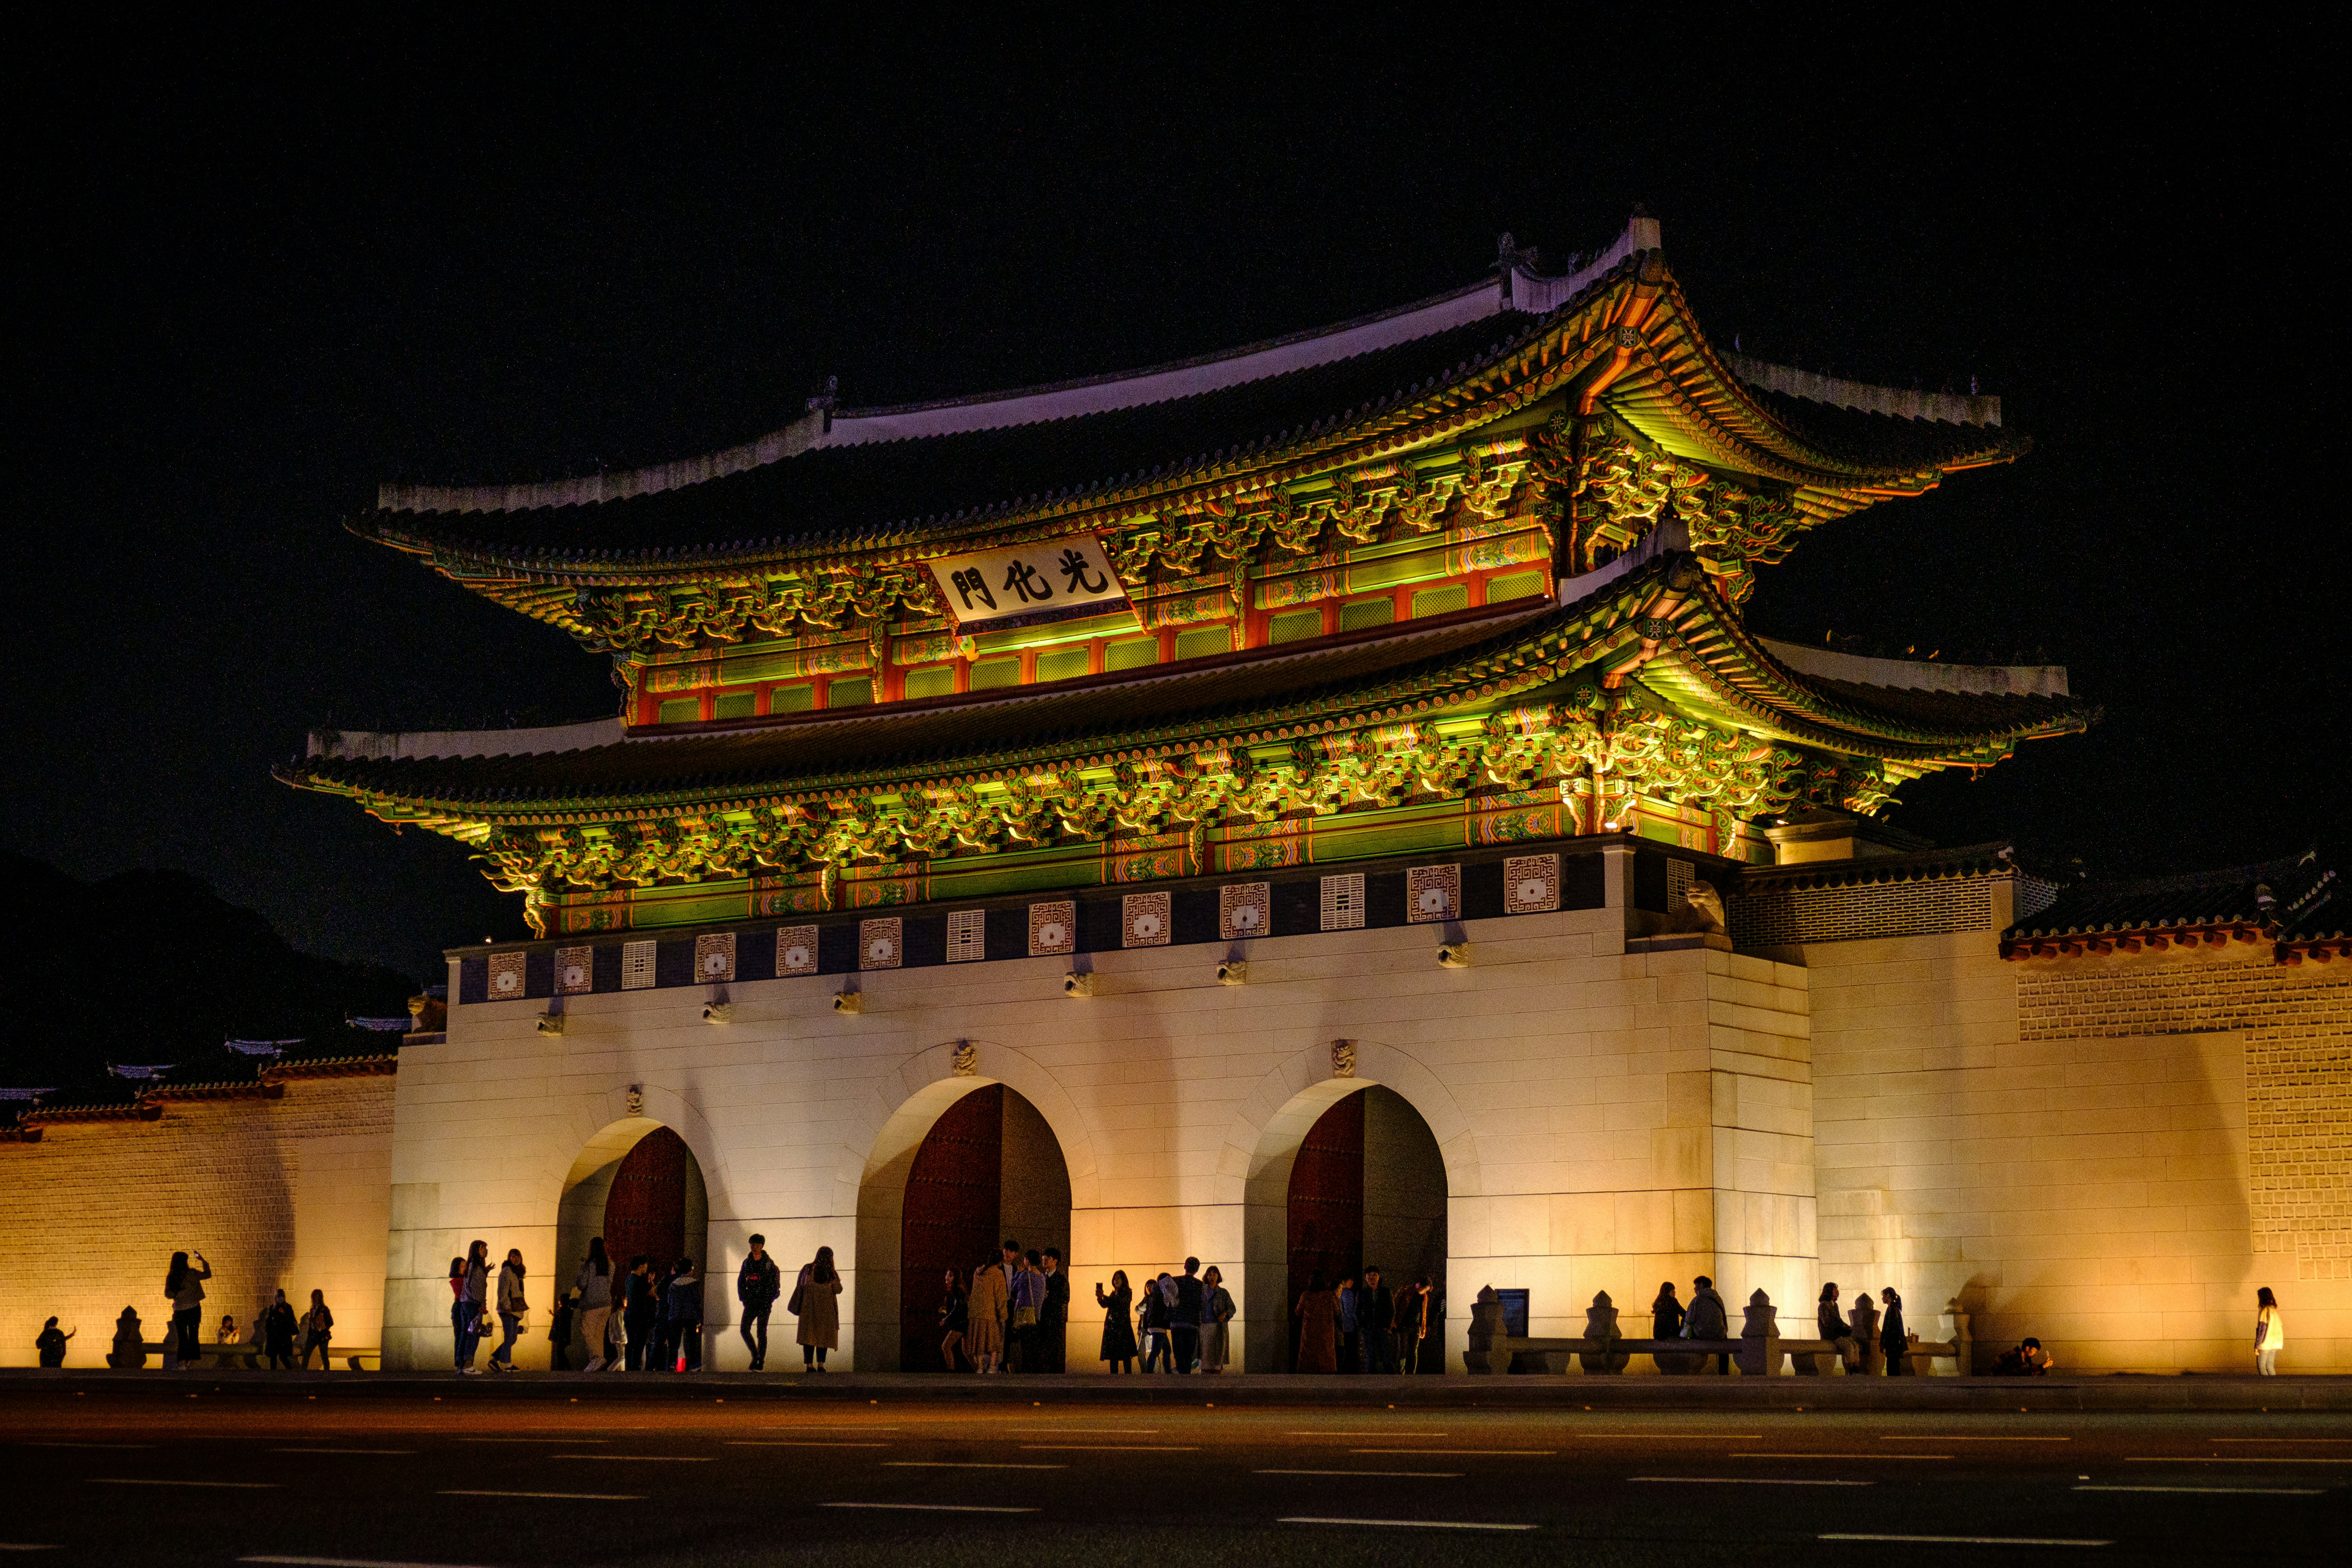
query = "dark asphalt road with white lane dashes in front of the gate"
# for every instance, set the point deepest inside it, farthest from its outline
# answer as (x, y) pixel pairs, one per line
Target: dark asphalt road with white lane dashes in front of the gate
(168, 1477)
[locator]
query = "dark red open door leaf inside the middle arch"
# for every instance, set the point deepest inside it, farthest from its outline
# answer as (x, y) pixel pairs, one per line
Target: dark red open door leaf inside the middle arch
(951, 1217)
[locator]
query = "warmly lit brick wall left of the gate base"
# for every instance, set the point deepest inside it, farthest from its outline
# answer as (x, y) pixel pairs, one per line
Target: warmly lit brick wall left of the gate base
(276, 1193)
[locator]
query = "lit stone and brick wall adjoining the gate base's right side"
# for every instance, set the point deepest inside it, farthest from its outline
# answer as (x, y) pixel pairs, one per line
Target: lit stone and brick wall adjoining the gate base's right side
(2085, 1179)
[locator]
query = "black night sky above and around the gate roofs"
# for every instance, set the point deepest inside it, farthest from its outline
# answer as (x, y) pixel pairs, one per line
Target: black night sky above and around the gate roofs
(262, 274)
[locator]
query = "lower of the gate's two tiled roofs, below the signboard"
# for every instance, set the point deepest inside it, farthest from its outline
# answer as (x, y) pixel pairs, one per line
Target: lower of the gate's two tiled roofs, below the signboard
(1455, 664)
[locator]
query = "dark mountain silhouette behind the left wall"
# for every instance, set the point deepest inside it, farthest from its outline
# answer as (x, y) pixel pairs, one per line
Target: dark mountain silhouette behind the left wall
(156, 967)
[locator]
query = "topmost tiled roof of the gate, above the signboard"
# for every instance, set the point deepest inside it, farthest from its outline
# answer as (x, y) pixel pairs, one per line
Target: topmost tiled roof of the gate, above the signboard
(850, 481)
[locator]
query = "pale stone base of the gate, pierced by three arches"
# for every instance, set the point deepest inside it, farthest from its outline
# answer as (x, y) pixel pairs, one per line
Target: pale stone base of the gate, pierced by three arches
(1605, 1118)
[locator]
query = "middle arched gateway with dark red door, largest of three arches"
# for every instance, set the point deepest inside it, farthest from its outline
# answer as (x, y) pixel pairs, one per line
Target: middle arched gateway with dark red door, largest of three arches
(982, 1170)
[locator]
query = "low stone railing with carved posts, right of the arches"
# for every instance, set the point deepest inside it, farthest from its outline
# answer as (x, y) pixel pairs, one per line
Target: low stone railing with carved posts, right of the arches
(1758, 1353)
